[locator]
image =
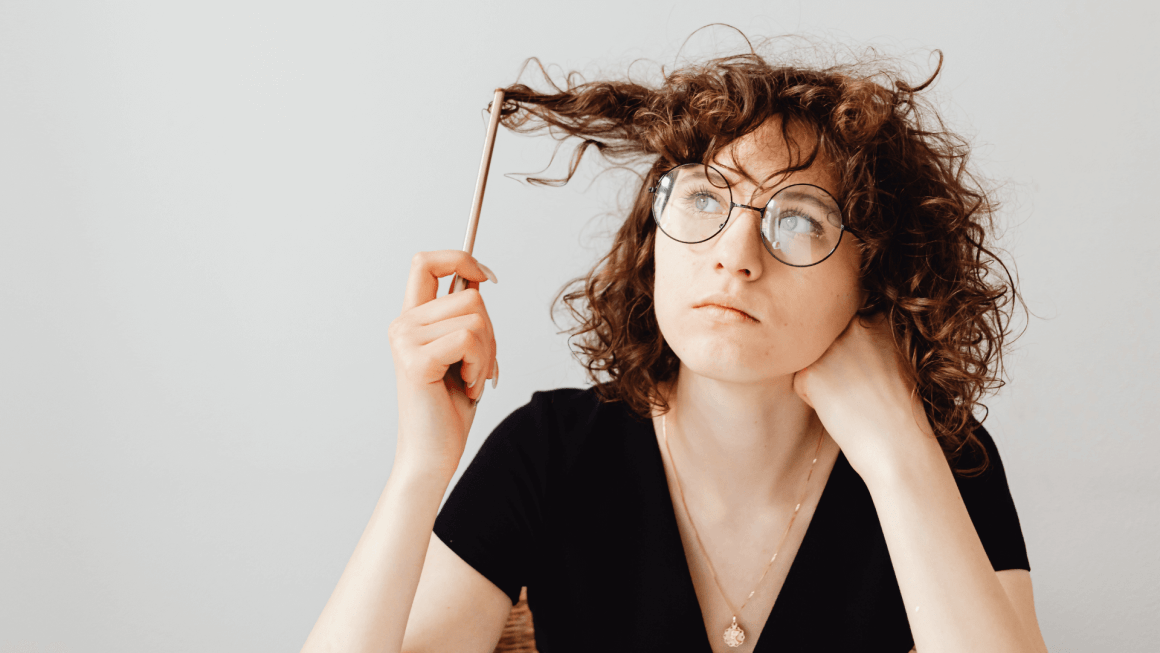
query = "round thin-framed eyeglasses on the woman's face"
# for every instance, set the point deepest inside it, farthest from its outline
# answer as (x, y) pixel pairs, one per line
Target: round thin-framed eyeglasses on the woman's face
(801, 226)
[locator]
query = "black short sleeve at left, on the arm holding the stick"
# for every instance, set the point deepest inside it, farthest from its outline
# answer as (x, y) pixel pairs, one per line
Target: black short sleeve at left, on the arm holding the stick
(494, 516)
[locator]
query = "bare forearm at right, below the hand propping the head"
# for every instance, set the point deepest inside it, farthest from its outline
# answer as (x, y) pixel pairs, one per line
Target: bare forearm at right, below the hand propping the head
(954, 600)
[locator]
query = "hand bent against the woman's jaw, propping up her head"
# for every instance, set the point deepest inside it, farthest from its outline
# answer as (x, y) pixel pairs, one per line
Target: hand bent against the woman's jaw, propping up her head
(865, 397)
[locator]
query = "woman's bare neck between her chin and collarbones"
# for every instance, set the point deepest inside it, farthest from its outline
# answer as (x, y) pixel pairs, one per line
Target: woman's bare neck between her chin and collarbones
(741, 447)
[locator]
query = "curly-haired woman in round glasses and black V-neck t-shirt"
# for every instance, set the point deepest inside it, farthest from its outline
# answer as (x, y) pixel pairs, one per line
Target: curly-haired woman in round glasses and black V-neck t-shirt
(789, 339)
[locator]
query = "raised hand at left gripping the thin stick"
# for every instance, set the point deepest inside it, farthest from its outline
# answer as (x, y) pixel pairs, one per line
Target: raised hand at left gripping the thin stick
(427, 339)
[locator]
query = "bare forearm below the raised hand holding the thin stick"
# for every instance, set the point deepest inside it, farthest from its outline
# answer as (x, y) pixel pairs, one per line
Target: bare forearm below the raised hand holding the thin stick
(372, 603)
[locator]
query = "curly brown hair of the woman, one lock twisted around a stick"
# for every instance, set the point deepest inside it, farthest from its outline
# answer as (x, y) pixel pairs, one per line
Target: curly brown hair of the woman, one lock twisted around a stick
(925, 221)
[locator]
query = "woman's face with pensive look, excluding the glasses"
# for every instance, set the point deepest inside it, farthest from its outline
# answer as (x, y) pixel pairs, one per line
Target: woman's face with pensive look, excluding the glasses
(728, 308)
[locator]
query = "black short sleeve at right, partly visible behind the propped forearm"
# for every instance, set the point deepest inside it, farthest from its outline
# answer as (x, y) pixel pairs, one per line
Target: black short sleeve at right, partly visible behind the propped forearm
(992, 510)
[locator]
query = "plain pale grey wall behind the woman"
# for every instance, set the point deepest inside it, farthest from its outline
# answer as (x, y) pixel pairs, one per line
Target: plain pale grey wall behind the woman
(207, 216)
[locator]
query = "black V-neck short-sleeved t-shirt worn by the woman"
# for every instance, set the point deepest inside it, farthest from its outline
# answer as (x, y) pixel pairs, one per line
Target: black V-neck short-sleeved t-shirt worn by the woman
(569, 498)
